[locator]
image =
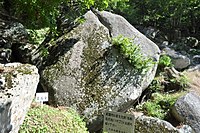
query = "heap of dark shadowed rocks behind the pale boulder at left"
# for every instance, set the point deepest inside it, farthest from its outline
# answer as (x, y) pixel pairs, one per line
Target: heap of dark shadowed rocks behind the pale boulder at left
(14, 43)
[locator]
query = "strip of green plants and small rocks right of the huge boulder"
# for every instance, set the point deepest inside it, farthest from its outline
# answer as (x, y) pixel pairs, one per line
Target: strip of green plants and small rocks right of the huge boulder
(167, 86)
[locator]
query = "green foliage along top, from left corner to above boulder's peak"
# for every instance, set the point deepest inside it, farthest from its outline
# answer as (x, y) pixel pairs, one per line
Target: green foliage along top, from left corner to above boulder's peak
(41, 13)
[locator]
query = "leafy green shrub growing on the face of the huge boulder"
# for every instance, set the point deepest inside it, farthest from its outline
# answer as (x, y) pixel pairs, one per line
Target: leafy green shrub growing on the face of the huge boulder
(133, 53)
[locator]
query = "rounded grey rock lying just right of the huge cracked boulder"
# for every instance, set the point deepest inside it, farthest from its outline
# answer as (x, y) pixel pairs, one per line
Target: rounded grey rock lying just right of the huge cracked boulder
(178, 60)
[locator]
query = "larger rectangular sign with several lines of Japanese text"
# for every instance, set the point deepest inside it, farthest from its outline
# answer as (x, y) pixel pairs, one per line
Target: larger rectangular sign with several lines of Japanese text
(117, 122)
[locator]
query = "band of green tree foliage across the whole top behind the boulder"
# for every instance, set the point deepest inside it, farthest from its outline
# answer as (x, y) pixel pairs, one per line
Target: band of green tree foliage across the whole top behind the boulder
(168, 15)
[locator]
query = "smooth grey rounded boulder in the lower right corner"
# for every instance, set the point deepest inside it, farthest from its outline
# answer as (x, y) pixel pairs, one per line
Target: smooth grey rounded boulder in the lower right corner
(187, 110)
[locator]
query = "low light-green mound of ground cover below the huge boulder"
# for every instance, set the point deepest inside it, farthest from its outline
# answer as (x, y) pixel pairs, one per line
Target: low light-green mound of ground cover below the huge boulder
(48, 119)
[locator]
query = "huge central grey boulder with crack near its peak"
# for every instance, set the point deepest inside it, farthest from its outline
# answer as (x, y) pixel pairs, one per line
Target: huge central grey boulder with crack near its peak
(86, 72)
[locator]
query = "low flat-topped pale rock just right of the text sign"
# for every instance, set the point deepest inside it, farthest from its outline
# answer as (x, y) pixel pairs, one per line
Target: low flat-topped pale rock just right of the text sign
(145, 124)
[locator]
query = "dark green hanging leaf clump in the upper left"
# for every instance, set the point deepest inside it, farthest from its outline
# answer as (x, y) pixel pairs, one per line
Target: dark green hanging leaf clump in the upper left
(35, 13)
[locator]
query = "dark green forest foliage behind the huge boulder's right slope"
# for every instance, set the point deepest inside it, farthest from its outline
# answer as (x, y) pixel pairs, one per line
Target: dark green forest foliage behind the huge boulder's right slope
(168, 15)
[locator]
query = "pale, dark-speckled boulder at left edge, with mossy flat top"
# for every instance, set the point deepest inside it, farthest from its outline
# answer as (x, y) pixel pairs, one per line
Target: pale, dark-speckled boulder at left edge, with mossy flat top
(18, 83)
